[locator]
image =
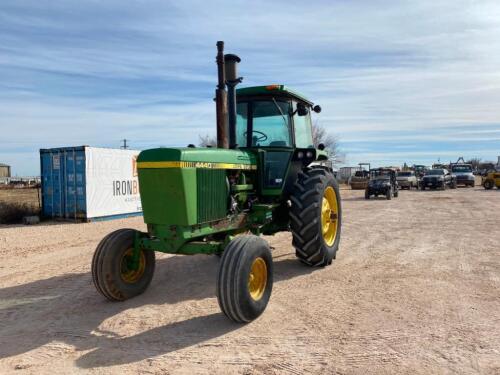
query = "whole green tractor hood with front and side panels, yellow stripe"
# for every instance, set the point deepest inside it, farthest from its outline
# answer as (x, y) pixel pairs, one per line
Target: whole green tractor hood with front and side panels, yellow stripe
(188, 186)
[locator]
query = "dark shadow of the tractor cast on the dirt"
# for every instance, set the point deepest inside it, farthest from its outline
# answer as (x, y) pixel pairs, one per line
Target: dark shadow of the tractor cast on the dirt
(68, 309)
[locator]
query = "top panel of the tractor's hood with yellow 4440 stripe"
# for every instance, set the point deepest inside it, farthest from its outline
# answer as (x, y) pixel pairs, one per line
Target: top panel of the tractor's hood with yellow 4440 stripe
(187, 157)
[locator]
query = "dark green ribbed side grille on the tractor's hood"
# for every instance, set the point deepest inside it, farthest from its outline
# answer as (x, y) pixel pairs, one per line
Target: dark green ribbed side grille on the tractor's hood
(212, 194)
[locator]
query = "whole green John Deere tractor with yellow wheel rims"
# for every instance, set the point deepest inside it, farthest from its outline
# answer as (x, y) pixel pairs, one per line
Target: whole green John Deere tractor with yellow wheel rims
(264, 177)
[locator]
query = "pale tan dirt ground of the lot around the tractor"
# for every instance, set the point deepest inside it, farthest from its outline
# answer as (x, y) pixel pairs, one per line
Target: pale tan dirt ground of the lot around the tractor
(415, 289)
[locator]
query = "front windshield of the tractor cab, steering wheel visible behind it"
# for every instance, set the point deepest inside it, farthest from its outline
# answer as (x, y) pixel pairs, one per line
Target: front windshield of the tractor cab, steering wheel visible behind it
(271, 124)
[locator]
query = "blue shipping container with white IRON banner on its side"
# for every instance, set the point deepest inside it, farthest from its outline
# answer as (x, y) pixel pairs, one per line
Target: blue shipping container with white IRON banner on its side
(77, 183)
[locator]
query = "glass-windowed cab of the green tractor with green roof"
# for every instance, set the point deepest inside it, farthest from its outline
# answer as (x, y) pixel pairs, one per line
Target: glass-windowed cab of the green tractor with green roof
(275, 122)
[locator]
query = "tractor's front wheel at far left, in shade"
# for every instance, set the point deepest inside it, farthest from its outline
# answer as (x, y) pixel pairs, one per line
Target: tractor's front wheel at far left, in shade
(114, 273)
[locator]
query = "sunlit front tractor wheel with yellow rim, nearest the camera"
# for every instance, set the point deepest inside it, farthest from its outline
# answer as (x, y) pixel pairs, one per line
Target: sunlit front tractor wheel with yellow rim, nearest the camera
(245, 278)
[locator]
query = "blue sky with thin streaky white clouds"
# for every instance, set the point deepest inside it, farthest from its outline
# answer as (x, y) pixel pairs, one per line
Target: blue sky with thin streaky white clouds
(400, 81)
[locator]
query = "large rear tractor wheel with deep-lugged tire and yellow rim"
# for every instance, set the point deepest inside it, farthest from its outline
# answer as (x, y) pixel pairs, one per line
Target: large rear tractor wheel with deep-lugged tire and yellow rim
(316, 216)
